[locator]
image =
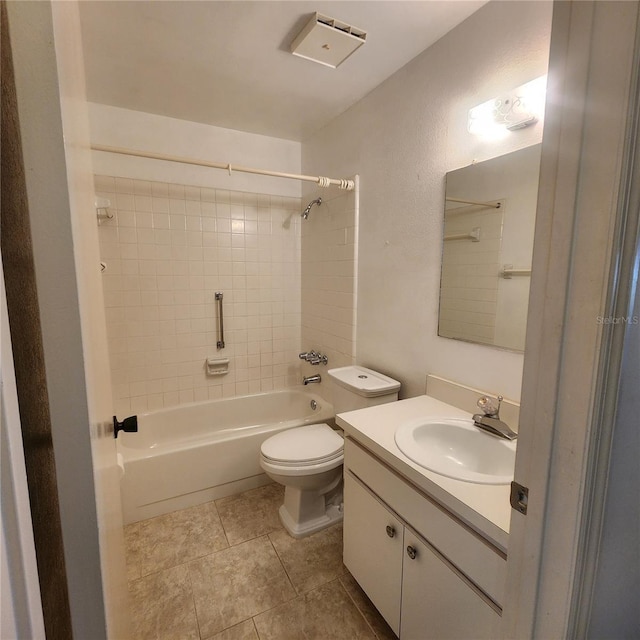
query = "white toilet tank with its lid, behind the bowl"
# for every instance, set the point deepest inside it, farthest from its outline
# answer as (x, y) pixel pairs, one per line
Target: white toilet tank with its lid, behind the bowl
(356, 387)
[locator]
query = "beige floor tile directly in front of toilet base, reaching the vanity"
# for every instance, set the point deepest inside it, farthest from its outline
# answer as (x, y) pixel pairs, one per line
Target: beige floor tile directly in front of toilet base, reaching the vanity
(311, 561)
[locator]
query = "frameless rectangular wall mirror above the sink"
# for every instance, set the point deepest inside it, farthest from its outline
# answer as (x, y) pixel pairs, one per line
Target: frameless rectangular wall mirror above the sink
(489, 221)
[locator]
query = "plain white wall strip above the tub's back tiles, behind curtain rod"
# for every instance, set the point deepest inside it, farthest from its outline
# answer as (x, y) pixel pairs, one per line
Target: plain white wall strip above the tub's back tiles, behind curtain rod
(117, 127)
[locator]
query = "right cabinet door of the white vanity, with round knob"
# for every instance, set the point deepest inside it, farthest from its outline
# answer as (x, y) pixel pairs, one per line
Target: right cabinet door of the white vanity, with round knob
(438, 603)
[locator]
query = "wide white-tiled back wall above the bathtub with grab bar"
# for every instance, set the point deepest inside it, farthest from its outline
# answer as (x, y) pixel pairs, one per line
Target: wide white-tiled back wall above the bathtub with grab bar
(167, 250)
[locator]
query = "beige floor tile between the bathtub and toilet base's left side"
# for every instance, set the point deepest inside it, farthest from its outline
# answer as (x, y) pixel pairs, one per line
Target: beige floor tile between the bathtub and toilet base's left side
(251, 514)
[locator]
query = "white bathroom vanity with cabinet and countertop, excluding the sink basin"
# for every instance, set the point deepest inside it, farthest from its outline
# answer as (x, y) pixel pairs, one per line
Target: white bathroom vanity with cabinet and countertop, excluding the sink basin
(429, 551)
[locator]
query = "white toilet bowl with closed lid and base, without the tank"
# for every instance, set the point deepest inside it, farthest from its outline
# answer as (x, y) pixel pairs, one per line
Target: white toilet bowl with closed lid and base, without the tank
(308, 462)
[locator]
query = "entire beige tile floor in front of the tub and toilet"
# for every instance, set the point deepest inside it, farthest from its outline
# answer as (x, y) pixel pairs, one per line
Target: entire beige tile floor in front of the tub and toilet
(227, 570)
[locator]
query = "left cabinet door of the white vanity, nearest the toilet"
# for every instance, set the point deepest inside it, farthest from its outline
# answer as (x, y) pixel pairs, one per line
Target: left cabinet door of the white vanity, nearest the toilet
(373, 547)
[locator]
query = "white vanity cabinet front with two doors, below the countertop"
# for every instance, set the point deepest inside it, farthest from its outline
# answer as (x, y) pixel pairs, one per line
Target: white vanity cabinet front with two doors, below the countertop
(428, 575)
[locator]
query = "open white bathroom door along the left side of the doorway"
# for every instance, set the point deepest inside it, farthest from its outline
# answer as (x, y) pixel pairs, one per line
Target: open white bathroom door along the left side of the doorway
(54, 128)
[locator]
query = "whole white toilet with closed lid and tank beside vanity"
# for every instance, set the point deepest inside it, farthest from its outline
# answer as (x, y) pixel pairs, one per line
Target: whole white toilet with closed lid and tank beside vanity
(308, 460)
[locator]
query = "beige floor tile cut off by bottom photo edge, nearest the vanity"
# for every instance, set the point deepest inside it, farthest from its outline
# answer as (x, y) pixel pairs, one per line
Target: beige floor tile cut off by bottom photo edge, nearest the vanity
(326, 613)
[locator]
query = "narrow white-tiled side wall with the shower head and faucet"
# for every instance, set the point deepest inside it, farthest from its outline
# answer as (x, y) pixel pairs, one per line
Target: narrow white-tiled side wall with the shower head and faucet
(329, 254)
